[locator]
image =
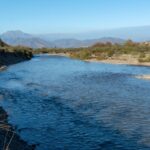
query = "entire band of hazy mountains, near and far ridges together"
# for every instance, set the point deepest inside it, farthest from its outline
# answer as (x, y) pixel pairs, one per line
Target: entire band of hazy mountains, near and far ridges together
(76, 40)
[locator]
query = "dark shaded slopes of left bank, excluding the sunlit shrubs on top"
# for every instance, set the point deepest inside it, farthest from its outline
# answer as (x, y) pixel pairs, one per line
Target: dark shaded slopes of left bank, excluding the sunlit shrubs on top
(9, 139)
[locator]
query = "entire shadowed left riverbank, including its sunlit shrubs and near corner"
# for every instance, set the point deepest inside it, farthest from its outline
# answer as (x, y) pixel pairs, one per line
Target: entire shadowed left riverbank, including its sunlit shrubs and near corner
(9, 139)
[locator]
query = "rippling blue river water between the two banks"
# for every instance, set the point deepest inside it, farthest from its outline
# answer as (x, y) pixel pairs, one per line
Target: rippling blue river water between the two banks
(65, 104)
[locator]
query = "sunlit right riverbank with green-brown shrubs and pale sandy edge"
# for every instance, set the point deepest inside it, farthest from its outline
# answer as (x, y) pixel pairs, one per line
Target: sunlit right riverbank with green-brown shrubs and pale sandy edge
(129, 53)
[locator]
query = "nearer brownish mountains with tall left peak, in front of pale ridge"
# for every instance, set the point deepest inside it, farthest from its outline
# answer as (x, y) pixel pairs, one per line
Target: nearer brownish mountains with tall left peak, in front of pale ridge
(36, 41)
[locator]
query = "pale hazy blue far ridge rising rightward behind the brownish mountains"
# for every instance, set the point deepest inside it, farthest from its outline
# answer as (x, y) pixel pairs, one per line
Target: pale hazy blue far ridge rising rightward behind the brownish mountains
(140, 34)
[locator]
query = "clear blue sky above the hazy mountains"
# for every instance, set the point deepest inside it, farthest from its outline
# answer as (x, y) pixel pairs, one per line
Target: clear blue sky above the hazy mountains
(71, 16)
